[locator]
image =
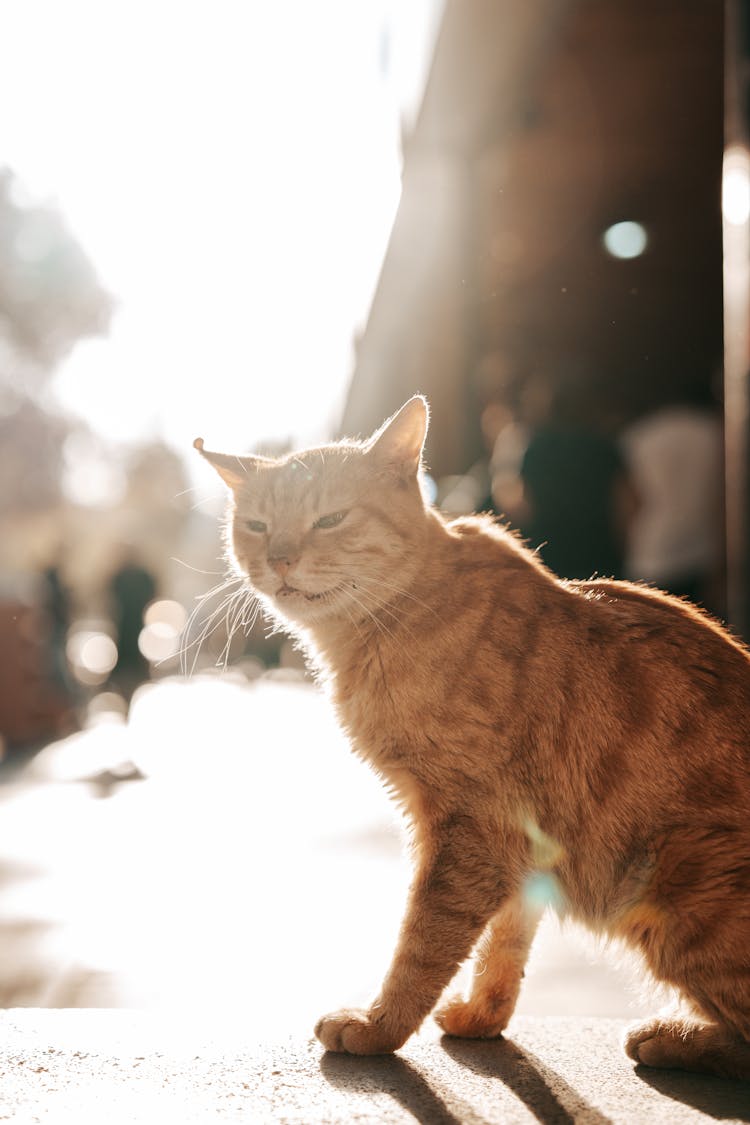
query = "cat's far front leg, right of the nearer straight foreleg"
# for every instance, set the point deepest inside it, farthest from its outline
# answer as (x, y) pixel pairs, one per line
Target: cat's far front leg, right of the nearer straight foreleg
(499, 971)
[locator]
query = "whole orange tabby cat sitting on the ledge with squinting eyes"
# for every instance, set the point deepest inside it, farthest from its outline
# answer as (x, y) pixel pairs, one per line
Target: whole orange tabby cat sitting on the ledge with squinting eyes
(586, 740)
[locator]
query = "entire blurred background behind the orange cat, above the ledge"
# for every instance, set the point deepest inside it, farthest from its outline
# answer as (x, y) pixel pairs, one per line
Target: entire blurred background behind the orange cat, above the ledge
(272, 223)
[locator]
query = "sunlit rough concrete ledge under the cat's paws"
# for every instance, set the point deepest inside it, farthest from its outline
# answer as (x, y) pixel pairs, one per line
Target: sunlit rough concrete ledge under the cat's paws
(76, 1066)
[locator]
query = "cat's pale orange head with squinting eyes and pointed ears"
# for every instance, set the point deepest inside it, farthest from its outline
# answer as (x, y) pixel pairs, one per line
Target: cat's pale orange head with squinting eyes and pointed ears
(330, 532)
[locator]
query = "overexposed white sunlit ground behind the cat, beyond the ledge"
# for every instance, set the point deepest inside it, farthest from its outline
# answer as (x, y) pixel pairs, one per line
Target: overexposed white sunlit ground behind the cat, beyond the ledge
(254, 870)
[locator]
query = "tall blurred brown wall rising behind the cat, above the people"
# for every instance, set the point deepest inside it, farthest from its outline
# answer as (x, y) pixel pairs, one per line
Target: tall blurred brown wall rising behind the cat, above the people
(543, 124)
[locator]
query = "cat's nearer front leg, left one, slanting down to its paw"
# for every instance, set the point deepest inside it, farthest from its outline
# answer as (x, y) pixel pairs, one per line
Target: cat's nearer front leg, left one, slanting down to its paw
(451, 902)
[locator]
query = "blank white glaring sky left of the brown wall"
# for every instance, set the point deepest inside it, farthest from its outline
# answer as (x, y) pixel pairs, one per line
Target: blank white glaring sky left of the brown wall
(232, 169)
